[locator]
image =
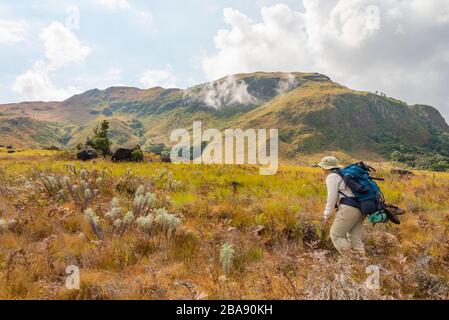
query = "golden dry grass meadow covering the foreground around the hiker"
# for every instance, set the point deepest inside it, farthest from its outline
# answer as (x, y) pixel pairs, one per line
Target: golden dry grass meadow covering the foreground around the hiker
(280, 249)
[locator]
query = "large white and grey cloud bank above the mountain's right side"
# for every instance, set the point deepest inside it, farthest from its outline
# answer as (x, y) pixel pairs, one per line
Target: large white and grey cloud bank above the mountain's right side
(389, 45)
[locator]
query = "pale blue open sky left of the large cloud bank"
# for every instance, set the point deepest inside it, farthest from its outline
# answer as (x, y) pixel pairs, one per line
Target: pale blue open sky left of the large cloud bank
(124, 40)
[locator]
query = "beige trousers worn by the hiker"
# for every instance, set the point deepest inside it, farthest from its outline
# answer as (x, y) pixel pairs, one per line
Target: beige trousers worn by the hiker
(346, 231)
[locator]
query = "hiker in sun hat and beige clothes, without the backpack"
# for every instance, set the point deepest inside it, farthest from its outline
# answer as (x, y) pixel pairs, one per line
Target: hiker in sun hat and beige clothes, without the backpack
(346, 230)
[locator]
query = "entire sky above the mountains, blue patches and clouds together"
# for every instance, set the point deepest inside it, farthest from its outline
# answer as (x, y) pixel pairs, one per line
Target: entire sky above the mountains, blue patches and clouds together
(392, 46)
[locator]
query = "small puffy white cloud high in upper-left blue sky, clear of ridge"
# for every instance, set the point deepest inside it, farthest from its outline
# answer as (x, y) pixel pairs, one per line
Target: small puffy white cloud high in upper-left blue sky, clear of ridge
(62, 47)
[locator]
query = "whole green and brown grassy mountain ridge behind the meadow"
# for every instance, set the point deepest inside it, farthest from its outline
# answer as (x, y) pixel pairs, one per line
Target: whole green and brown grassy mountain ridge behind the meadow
(313, 114)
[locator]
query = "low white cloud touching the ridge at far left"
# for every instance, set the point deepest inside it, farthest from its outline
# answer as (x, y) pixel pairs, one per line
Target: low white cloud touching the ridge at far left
(36, 85)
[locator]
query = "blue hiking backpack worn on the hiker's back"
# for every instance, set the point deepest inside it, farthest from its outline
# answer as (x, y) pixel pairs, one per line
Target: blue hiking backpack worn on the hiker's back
(368, 196)
